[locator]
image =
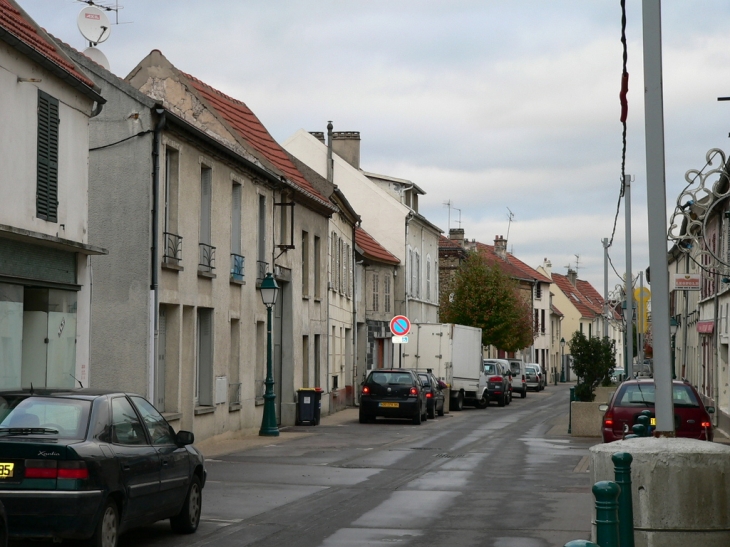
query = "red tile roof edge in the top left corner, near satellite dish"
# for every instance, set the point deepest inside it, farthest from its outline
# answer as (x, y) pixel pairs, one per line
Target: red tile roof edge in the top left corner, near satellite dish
(22, 27)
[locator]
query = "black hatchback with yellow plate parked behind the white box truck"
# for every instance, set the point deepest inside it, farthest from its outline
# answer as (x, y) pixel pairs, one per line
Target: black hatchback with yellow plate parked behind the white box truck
(393, 393)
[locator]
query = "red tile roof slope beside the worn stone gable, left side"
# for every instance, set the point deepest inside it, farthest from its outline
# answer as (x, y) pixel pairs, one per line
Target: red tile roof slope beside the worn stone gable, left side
(245, 122)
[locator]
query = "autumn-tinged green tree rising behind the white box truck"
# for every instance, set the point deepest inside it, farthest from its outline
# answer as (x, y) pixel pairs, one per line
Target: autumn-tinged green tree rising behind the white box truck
(481, 295)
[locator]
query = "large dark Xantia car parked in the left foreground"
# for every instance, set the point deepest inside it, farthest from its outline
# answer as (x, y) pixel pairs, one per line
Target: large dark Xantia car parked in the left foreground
(84, 463)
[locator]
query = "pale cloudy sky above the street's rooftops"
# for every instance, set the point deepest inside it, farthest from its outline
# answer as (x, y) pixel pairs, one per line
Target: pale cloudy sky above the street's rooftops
(497, 107)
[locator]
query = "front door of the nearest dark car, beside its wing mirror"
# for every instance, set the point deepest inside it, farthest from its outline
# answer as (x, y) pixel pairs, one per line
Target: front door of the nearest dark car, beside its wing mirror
(175, 465)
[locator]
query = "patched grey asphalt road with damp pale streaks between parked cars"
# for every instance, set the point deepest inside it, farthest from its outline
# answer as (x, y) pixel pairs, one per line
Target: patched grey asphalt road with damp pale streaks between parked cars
(500, 477)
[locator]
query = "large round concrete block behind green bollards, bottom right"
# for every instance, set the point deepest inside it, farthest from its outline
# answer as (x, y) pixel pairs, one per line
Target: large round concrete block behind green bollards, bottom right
(680, 490)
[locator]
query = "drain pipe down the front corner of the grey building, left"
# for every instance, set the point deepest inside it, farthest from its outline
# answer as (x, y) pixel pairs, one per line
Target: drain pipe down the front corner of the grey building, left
(155, 252)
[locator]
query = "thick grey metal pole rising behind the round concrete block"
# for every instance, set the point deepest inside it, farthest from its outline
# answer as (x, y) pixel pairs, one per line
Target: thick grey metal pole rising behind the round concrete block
(656, 197)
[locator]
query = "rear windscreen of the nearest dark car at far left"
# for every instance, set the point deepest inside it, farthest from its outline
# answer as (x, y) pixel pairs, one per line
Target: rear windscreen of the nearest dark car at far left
(69, 417)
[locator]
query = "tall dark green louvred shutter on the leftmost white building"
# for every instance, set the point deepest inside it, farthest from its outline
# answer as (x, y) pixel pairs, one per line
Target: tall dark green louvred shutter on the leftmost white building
(47, 181)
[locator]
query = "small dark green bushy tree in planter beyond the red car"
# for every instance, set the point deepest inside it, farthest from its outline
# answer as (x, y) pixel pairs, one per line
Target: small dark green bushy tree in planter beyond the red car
(593, 359)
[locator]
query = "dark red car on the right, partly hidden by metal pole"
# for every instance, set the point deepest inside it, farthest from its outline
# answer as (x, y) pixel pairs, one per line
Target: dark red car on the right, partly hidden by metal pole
(691, 417)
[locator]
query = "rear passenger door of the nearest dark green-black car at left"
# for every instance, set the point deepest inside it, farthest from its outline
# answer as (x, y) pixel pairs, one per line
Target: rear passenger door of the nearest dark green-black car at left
(138, 460)
